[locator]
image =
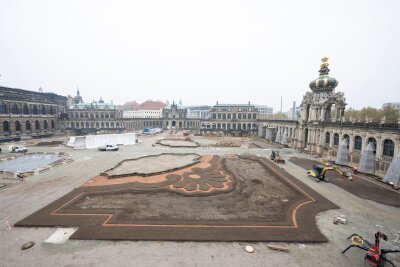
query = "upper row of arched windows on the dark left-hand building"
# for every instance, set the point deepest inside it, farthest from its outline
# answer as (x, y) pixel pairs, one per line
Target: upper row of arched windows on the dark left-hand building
(26, 109)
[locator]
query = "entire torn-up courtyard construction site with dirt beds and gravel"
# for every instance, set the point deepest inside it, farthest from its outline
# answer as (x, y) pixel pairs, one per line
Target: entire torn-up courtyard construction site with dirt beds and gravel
(157, 196)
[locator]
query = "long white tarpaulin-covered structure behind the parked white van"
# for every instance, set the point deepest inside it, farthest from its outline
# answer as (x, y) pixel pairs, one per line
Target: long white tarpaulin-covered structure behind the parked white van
(95, 141)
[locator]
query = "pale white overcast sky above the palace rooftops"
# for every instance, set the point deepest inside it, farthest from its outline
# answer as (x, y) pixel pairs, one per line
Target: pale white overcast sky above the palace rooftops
(201, 51)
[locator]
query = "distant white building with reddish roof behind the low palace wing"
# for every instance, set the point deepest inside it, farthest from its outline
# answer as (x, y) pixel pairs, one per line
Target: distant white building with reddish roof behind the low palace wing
(146, 110)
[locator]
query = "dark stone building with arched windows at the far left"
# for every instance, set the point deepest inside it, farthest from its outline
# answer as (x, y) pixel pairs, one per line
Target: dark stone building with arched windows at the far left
(29, 114)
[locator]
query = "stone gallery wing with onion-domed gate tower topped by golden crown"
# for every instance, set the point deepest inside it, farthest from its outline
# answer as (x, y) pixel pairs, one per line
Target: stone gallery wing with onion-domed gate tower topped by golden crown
(321, 127)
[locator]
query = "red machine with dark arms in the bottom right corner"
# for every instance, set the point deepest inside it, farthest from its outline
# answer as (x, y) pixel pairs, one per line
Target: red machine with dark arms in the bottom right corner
(375, 255)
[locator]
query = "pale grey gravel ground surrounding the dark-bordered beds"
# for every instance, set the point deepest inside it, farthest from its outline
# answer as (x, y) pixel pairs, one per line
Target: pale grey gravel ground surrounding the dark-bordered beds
(20, 199)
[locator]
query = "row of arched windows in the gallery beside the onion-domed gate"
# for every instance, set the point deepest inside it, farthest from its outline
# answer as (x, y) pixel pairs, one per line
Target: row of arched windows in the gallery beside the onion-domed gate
(388, 145)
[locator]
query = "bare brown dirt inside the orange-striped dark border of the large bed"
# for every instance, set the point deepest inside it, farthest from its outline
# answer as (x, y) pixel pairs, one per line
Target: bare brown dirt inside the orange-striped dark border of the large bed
(259, 196)
